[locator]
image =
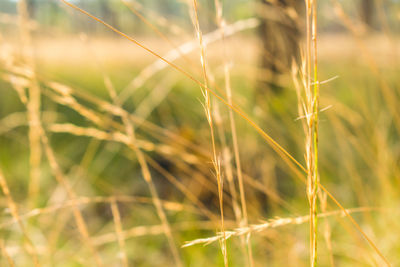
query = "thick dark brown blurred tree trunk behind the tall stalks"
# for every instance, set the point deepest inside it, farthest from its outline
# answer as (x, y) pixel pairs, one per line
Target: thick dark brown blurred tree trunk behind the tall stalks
(280, 35)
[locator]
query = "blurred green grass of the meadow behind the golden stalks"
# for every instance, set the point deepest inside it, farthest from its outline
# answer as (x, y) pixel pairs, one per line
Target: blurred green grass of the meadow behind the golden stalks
(358, 163)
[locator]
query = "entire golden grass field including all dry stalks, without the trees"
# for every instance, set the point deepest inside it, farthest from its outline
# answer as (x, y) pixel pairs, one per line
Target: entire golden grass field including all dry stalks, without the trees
(139, 171)
